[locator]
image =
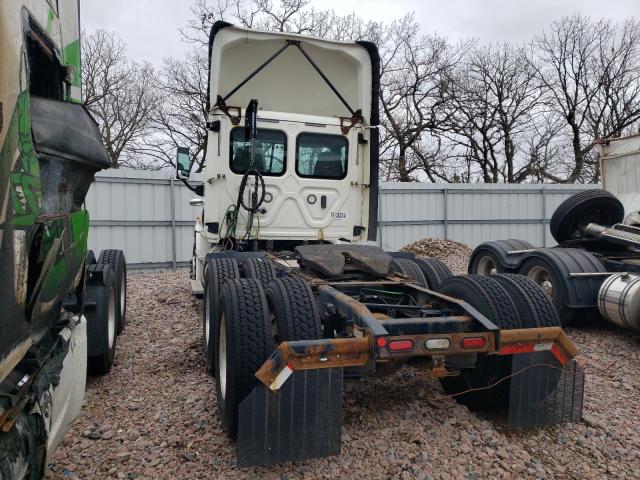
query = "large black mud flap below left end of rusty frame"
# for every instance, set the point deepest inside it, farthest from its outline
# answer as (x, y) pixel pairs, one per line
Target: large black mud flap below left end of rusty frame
(300, 421)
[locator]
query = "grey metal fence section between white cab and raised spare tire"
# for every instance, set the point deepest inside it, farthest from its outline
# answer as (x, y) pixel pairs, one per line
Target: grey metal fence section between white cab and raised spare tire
(471, 214)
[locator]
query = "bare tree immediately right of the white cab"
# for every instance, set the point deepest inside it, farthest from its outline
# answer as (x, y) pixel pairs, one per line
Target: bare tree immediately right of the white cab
(414, 67)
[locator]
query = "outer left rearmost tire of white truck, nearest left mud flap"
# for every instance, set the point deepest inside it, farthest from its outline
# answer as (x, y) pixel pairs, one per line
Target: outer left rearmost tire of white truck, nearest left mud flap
(243, 327)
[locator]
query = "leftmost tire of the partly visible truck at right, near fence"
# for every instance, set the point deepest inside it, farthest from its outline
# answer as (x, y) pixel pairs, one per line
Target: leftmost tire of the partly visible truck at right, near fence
(491, 258)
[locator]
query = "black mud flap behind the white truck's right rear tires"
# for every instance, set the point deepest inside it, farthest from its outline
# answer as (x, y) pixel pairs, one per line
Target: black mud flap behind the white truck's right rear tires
(543, 391)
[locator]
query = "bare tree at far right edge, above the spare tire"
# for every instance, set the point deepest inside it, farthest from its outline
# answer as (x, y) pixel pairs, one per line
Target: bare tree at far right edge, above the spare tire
(590, 73)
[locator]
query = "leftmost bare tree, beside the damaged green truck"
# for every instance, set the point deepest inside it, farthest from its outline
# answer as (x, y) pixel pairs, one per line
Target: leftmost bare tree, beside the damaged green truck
(120, 94)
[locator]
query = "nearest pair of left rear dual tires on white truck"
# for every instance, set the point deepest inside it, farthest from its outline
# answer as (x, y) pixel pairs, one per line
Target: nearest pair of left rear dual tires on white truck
(251, 321)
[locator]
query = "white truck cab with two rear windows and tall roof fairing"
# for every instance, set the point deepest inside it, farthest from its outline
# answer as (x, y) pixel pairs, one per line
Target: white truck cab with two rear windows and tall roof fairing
(316, 143)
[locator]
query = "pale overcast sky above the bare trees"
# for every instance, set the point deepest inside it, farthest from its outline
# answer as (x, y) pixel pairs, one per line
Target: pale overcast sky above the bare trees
(150, 27)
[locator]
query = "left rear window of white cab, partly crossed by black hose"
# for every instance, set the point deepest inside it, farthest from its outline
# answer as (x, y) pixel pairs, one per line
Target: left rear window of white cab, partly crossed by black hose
(270, 156)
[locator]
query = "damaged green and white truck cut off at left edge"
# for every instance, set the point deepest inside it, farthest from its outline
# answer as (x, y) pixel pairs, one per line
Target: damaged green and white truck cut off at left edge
(60, 307)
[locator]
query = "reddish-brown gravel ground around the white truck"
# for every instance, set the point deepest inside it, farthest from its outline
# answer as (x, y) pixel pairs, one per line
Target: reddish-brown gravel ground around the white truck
(154, 416)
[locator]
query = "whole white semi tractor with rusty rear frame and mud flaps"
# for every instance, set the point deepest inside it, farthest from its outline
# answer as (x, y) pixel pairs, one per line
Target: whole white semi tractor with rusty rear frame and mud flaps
(298, 296)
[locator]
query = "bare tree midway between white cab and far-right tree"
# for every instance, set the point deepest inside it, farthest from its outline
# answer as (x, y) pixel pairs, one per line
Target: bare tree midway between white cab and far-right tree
(492, 97)
